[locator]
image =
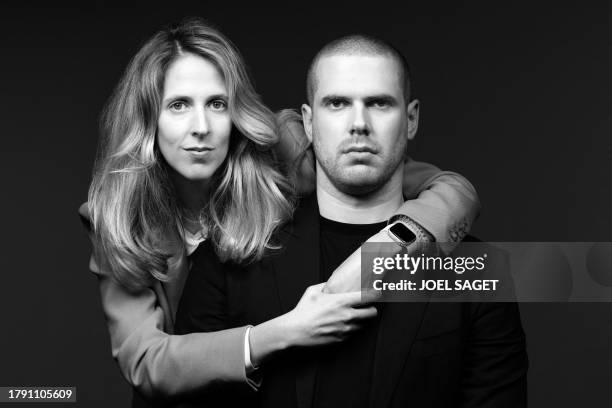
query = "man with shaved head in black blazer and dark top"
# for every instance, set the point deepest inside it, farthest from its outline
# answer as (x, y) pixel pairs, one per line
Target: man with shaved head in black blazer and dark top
(359, 117)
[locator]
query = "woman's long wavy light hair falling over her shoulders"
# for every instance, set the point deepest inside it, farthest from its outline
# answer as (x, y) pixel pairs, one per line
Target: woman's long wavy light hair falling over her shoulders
(136, 215)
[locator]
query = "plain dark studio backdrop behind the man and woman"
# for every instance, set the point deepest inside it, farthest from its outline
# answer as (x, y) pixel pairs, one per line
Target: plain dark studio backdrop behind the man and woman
(516, 98)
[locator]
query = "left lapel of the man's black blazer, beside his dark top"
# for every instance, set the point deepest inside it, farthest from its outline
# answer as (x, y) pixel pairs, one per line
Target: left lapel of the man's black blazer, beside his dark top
(296, 268)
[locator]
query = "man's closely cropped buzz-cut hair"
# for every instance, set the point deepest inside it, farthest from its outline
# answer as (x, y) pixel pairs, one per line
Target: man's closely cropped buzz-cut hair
(359, 44)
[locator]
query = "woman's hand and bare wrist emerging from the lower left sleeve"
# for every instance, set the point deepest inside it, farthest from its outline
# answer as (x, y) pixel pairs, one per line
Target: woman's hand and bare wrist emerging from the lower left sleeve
(318, 319)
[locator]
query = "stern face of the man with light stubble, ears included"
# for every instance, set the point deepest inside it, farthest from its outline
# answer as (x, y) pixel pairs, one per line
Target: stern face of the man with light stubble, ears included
(359, 122)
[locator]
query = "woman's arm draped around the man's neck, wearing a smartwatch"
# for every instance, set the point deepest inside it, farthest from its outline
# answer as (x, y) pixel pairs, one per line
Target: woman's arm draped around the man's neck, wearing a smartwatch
(442, 203)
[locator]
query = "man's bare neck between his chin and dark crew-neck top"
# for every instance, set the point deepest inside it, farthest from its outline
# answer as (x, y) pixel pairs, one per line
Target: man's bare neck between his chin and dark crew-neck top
(371, 208)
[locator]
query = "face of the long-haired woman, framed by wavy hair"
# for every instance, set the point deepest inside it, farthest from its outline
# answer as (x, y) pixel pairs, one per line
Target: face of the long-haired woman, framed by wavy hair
(193, 130)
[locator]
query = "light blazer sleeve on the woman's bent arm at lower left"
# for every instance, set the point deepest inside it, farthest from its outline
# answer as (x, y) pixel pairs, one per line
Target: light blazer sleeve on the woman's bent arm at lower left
(158, 364)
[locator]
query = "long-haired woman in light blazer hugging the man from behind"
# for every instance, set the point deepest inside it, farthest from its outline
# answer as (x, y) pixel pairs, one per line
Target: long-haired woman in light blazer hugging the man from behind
(184, 157)
